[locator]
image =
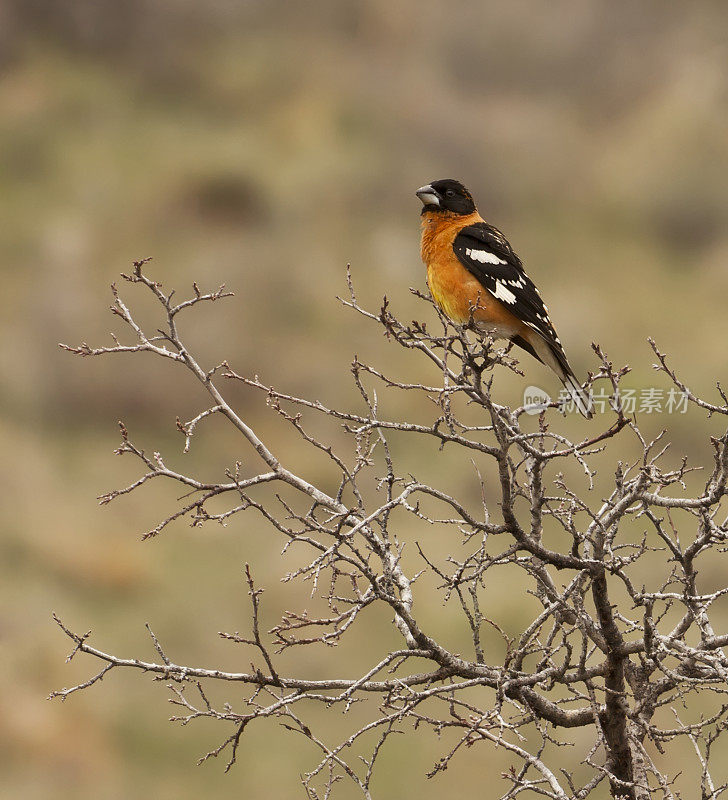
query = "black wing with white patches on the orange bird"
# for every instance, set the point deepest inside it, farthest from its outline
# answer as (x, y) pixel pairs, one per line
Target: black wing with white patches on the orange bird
(485, 252)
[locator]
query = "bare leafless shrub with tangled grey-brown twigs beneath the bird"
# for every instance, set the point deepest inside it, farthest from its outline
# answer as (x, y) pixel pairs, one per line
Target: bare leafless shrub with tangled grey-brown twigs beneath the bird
(624, 672)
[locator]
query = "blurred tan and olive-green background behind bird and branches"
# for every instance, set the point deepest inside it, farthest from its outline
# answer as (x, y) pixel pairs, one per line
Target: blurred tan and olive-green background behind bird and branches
(265, 145)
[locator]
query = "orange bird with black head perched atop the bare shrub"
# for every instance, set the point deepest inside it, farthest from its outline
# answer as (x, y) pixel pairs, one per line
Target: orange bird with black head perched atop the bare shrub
(472, 270)
